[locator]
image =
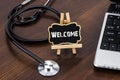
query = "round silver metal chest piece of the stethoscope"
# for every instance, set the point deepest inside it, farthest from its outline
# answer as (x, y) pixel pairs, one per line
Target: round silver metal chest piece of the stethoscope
(50, 68)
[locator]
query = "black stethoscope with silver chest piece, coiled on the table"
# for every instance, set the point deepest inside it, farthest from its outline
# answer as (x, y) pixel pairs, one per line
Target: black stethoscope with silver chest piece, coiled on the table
(45, 67)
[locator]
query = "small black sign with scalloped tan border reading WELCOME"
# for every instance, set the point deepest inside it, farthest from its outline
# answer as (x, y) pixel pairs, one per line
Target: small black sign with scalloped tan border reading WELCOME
(64, 33)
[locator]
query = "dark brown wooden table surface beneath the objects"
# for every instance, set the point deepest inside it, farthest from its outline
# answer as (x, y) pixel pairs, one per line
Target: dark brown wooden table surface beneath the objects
(15, 65)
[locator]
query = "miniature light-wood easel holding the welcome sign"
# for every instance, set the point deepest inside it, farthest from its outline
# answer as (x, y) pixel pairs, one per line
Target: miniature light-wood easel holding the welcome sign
(72, 46)
